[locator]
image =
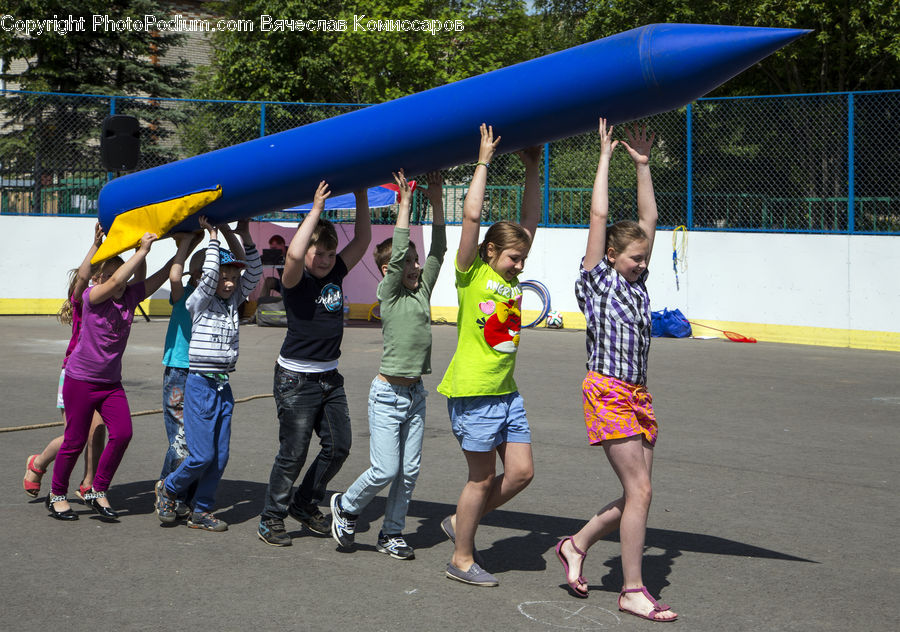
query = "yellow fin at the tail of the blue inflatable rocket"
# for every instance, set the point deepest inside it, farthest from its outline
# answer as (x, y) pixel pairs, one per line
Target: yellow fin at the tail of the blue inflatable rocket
(161, 217)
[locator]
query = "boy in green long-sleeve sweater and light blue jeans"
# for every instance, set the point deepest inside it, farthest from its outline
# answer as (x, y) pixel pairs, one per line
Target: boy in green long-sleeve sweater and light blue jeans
(397, 396)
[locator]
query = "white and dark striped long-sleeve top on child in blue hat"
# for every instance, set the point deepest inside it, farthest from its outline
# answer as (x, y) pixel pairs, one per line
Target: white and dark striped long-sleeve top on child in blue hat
(214, 321)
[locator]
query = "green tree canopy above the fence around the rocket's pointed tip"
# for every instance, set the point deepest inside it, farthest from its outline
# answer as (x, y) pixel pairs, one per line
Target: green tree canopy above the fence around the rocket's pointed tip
(854, 46)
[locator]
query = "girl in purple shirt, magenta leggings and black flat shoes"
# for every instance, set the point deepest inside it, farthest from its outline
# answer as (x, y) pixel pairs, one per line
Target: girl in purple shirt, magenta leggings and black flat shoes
(93, 378)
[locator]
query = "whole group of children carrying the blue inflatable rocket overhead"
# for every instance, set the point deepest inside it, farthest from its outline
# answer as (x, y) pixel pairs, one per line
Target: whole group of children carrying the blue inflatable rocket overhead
(487, 413)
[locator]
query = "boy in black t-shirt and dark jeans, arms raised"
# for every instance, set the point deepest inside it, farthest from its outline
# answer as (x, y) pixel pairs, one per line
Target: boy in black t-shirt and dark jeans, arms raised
(309, 391)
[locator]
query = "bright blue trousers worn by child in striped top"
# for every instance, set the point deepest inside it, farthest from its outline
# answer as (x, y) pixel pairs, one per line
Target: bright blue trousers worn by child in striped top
(208, 405)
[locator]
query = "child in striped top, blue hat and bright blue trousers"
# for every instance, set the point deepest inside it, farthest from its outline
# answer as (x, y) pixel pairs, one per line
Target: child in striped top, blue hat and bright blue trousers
(208, 402)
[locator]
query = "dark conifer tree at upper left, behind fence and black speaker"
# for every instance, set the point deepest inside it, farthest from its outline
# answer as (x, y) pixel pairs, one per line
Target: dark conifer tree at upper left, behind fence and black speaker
(54, 136)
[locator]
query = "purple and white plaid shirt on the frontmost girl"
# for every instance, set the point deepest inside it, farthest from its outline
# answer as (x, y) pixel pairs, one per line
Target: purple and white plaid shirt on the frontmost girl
(618, 322)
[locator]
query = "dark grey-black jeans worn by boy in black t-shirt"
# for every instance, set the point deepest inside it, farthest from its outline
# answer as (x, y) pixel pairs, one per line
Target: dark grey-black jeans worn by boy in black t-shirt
(307, 403)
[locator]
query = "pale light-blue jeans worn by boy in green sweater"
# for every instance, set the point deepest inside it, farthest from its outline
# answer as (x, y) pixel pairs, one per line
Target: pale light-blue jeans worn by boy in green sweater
(396, 427)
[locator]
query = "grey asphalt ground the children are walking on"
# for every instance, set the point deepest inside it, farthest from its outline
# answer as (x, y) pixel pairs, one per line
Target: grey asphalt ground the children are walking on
(775, 502)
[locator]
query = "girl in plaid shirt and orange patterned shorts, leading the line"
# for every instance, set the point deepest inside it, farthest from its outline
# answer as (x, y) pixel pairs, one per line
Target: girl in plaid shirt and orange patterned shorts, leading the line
(618, 410)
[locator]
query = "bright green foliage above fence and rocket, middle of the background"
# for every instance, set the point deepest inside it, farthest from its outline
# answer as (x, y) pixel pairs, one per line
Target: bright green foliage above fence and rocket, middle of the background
(362, 65)
